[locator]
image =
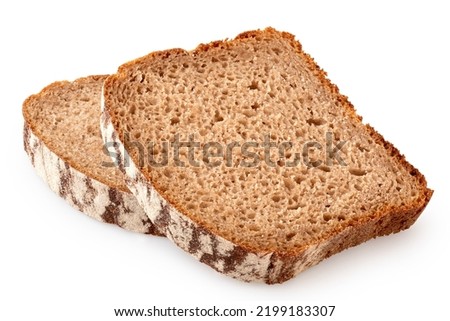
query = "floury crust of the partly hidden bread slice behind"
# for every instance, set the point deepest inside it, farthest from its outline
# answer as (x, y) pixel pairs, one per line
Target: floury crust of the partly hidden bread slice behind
(87, 194)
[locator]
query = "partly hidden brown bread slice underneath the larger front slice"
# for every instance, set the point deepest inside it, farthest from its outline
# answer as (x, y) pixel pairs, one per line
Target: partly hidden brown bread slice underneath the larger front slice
(62, 138)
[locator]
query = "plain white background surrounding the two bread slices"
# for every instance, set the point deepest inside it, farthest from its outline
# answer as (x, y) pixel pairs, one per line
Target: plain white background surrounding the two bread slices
(390, 58)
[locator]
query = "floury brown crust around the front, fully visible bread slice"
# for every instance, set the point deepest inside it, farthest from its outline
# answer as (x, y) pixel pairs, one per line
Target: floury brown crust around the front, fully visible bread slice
(243, 262)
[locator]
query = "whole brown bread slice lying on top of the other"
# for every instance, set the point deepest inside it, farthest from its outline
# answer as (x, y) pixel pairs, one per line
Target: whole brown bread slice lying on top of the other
(305, 178)
